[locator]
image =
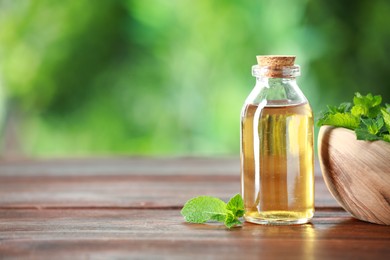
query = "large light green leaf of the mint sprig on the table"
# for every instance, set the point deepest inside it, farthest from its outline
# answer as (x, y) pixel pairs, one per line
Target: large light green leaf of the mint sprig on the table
(204, 208)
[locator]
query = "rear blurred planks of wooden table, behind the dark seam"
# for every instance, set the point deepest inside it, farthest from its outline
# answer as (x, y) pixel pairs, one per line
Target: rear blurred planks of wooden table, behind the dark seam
(124, 183)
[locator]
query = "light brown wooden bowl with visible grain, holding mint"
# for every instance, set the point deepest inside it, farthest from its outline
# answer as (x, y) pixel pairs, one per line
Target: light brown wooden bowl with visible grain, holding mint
(357, 173)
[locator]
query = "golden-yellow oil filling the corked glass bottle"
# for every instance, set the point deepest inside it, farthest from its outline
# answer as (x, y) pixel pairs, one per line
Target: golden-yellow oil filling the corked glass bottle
(277, 163)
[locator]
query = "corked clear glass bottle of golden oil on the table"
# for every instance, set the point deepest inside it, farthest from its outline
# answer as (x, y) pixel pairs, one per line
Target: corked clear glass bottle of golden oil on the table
(277, 158)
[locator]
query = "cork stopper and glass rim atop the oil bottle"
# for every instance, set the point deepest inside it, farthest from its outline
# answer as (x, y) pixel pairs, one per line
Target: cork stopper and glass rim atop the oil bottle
(276, 66)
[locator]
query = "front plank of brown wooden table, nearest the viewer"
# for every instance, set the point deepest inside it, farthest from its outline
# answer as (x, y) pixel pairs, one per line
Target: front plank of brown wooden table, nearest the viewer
(162, 234)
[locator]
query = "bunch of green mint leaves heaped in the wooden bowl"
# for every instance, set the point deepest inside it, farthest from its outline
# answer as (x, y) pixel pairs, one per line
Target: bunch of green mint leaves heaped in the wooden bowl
(367, 117)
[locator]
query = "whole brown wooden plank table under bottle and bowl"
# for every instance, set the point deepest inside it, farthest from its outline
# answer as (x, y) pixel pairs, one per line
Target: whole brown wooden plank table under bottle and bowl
(130, 208)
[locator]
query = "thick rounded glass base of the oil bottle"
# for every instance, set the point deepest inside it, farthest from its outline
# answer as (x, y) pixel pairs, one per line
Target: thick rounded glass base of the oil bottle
(279, 217)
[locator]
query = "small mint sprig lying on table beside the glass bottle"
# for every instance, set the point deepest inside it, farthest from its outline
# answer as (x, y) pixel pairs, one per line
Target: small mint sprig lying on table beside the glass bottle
(206, 208)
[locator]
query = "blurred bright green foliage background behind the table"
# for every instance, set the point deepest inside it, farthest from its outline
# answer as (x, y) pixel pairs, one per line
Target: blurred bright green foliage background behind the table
(169, 77)
